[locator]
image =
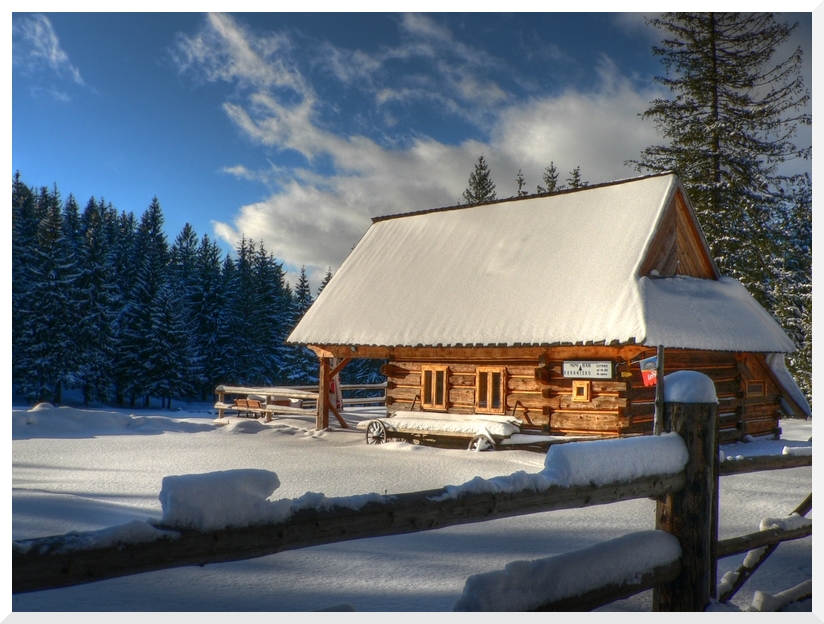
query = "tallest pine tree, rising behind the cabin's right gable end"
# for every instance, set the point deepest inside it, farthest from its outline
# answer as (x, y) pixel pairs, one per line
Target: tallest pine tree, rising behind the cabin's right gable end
(729, 125)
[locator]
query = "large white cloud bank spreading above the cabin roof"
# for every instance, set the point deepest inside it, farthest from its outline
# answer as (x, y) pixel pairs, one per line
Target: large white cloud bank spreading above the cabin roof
(314, 220)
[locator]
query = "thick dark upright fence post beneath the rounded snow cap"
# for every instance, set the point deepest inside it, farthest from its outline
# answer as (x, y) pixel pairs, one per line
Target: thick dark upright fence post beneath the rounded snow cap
(691, 514)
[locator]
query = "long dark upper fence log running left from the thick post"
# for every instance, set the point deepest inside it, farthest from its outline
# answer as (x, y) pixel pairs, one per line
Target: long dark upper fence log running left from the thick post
(46, 563)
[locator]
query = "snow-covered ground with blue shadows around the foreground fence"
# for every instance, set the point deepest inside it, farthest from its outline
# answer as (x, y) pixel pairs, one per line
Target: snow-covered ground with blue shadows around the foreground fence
(79, 470)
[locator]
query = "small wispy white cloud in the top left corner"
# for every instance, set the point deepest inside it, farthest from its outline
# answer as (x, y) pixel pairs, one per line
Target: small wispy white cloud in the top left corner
(36, 48)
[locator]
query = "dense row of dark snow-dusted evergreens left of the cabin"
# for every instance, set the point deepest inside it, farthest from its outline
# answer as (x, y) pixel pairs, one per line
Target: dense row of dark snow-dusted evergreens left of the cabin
(102, 304)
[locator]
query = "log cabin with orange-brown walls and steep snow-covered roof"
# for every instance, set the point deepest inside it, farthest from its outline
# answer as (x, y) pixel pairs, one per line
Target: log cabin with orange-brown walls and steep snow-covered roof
(543, 306)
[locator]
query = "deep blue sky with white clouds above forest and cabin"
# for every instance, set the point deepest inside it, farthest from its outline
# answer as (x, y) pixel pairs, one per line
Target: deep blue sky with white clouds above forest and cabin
(295, 129)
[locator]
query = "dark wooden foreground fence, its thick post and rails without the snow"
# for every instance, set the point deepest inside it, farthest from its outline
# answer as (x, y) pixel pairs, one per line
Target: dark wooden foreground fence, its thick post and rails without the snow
(687, 507)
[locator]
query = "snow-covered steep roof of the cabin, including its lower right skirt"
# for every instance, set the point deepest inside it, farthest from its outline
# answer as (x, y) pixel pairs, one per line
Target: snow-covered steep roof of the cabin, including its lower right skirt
(543, 270)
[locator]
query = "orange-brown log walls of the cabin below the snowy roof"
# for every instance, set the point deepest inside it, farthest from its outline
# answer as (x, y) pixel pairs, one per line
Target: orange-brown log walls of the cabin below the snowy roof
(538, 393)
